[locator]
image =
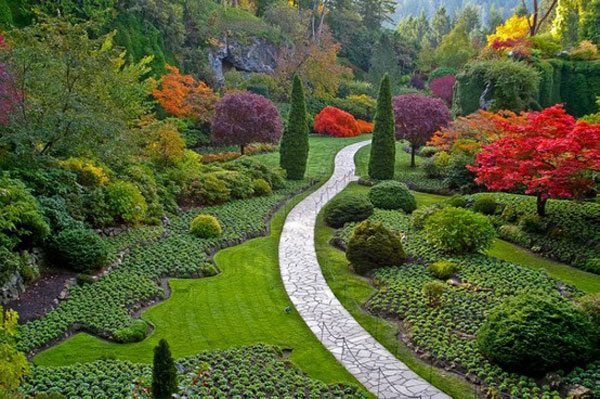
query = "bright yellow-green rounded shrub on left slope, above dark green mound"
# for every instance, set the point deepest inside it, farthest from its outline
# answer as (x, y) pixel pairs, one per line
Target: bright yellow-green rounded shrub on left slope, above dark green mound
(126, 202)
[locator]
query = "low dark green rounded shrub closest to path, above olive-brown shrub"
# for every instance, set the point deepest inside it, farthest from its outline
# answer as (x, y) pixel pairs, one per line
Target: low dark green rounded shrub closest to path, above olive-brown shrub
(347, 208)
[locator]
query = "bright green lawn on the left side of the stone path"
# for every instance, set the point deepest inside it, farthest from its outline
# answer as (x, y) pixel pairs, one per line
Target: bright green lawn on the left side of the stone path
(243, 305)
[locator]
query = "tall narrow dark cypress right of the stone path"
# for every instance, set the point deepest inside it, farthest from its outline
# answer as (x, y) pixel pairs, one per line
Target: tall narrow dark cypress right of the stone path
(383, 147)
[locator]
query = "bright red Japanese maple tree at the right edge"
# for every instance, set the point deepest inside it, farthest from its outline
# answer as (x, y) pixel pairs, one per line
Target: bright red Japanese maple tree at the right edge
(549, 155)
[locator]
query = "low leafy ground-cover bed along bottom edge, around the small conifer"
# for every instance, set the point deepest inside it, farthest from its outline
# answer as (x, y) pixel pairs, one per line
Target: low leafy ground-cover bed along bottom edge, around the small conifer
(252, 372)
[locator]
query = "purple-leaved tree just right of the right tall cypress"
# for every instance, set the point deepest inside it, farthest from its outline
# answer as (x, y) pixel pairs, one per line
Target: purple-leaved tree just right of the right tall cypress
(418, 117)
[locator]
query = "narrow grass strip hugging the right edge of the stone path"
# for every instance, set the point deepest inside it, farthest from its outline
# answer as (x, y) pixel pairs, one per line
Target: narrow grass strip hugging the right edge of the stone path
(353, 290)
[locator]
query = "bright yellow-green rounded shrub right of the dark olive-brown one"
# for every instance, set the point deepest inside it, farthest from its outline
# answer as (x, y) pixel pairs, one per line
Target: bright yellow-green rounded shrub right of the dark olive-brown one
(458, 231)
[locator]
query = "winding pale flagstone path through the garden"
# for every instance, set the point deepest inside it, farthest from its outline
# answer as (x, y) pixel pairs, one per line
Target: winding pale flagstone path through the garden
(373, 365)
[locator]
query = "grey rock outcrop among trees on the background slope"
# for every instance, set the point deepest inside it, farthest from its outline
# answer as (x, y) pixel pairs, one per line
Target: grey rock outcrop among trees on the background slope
(251, 55)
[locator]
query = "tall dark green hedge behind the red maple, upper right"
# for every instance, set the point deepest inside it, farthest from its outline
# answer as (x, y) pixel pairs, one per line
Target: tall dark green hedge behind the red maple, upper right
(574, 83)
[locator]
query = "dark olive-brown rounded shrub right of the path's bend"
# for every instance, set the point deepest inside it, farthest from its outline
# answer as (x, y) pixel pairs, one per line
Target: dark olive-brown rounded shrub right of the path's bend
(372, 245)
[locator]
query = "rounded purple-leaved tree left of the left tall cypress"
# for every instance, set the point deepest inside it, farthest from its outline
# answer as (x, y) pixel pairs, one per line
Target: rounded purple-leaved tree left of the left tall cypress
(242, 118)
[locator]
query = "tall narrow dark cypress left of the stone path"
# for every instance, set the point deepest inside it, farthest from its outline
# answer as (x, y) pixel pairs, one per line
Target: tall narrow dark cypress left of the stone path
(294, 143)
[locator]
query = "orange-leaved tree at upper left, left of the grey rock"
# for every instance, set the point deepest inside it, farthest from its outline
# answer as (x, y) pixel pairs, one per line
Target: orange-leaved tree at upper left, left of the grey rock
(185, 97)
